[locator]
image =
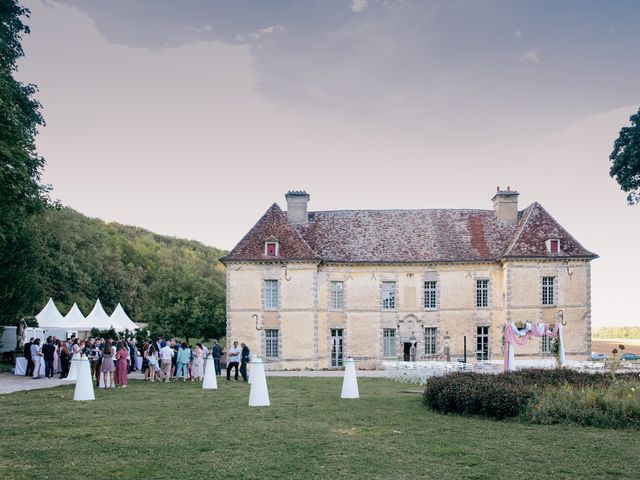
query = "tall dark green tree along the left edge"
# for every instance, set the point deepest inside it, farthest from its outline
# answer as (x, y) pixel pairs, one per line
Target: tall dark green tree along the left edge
(22, 195)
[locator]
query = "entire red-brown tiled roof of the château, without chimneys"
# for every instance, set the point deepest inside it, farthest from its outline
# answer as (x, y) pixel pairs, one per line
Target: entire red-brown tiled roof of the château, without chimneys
(398, 236)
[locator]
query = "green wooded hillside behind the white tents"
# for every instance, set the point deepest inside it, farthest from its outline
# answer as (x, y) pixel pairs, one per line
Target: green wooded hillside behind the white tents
(174, 285)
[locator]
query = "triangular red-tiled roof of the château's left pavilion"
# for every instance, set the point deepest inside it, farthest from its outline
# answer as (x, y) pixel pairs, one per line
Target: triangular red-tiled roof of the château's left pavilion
(274, 224)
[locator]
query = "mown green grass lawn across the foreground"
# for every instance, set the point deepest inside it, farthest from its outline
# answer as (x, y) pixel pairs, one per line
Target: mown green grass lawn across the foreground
(153, 431)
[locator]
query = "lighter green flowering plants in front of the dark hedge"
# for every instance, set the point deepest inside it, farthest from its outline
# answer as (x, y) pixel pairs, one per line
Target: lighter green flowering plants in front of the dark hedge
(617, 406)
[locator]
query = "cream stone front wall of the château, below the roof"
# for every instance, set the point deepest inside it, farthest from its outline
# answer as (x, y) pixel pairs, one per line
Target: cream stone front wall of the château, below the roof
(305, 320)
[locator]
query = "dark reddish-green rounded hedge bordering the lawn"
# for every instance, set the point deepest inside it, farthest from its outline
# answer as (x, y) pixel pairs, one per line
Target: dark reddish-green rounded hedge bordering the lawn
(503, 395)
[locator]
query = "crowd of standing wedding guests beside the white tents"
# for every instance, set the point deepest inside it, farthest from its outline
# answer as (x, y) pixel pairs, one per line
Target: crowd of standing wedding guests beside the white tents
(110, 362)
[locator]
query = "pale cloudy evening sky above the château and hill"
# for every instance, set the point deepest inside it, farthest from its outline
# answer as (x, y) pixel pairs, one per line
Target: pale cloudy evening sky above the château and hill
(190, 118)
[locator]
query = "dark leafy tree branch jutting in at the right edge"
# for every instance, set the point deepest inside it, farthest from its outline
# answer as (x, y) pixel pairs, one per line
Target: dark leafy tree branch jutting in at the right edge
(626, 160)
